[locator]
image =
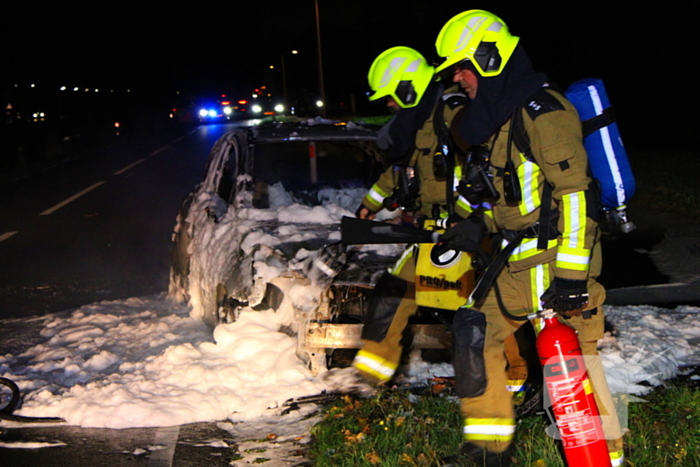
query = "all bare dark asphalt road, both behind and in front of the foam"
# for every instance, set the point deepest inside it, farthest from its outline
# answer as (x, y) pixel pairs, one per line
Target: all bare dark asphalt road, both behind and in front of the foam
(98, 228)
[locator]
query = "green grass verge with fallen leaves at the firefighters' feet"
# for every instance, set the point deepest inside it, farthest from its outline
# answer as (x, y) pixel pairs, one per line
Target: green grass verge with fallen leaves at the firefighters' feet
(400, 429)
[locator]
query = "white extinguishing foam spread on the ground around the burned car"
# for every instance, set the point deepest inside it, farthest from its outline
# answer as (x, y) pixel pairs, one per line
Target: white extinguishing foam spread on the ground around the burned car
(149, 362)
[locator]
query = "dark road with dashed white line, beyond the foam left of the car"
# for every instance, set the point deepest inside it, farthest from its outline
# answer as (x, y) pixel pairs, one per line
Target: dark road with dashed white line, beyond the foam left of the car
(98, 228)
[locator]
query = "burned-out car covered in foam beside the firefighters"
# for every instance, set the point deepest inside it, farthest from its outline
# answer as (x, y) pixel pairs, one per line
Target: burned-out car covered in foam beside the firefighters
(262, 231)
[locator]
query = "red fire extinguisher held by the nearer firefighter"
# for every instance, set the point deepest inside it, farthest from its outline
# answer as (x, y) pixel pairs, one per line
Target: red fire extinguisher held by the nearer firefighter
(571, 394)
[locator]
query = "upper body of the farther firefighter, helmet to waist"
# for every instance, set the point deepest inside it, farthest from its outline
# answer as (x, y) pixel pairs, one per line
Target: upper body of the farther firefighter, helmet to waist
(415, 177)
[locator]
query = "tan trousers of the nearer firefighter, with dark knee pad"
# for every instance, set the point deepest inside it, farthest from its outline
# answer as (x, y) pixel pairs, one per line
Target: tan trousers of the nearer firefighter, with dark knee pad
(488, 413)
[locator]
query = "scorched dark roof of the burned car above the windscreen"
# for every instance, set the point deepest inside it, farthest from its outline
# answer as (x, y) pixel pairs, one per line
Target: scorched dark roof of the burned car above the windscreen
(313, 130)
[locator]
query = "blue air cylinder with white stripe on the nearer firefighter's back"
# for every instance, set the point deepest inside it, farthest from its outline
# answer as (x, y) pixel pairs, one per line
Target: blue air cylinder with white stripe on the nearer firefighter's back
(606, 153)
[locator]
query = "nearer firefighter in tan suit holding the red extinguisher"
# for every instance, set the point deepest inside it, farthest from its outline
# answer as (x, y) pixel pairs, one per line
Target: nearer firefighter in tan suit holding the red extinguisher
(543, 189)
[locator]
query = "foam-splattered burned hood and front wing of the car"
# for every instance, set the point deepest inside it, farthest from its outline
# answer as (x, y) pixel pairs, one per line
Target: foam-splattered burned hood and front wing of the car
(247, 247)
